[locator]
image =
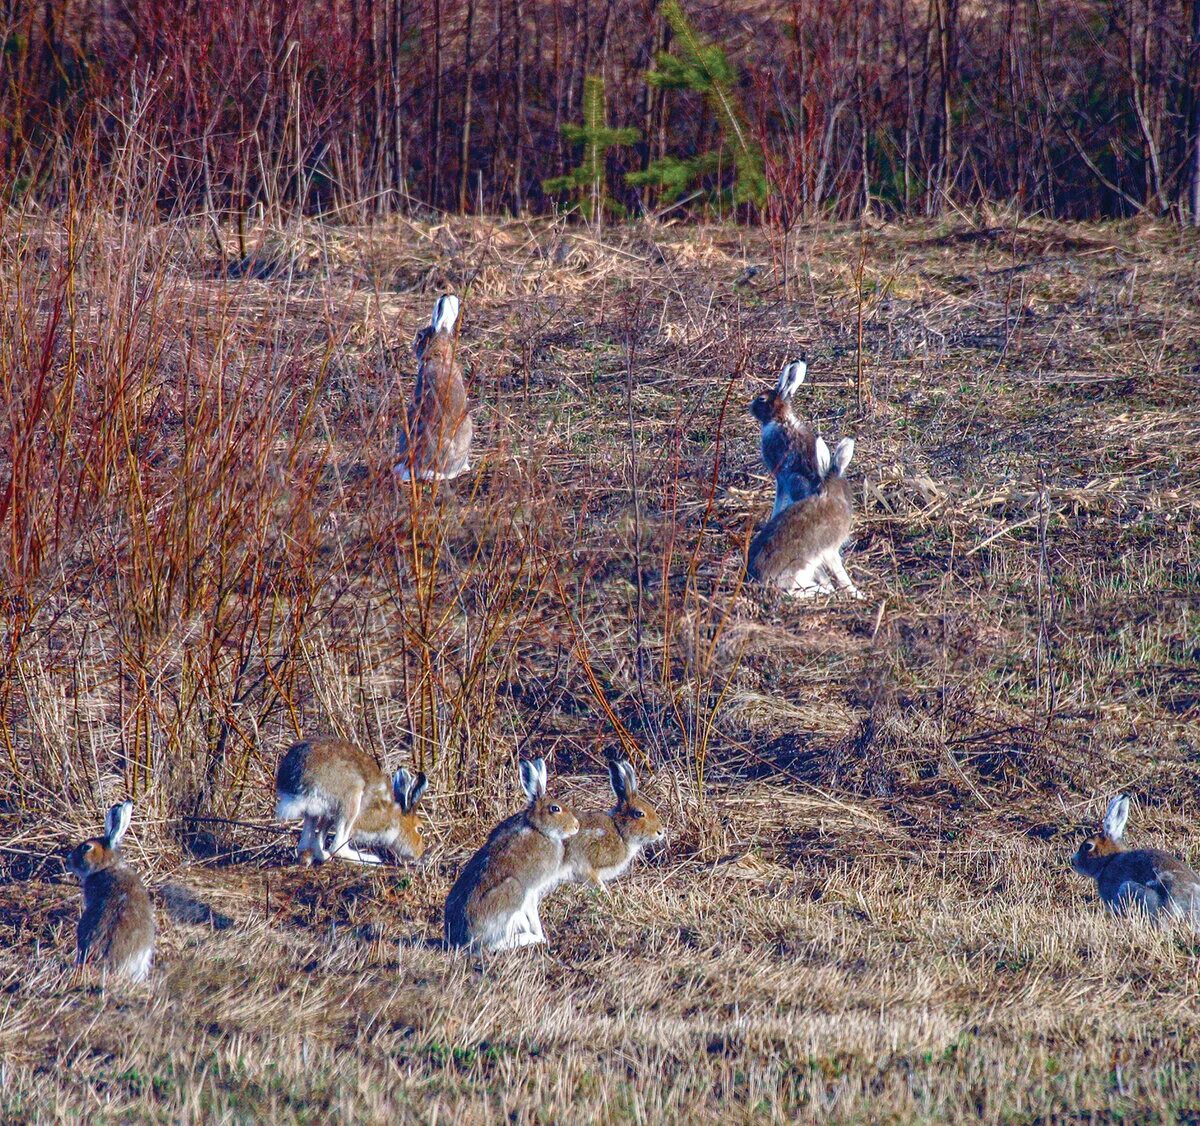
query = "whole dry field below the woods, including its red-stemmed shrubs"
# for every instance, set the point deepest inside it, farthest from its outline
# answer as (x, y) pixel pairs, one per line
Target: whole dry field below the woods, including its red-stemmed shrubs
(863, 912)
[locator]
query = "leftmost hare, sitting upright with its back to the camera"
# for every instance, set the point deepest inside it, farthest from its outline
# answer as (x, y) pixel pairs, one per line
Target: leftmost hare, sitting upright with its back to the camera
(117, 929)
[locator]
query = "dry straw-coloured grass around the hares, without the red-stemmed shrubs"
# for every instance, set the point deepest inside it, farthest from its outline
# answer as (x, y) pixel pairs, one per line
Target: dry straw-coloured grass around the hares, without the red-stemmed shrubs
(867, 912)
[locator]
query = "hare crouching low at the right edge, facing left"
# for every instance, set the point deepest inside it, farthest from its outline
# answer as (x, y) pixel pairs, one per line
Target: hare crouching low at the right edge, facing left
(1148, 881)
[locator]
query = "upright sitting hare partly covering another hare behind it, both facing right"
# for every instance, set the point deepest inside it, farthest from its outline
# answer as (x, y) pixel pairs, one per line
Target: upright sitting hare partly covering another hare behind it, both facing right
(494, 903)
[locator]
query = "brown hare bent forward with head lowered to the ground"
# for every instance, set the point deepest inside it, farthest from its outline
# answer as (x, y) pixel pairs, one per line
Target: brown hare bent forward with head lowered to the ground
(332, 784)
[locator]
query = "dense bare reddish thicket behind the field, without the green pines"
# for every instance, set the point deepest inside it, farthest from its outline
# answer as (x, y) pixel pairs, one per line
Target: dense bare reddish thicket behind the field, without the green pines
(1072, 107)
